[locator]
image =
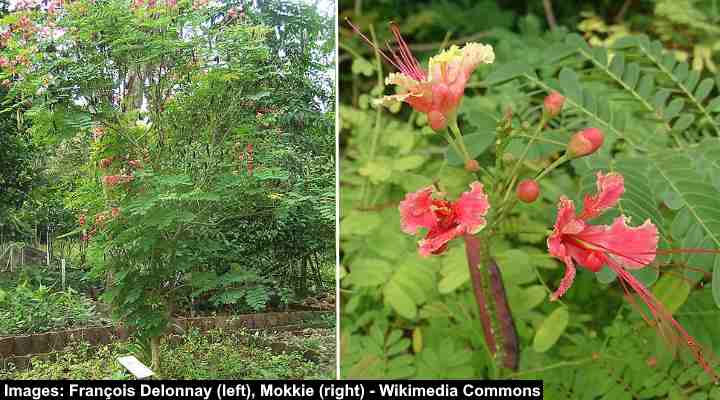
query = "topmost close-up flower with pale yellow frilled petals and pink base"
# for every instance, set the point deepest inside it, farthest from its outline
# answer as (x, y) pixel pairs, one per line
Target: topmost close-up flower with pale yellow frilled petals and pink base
(438, 91)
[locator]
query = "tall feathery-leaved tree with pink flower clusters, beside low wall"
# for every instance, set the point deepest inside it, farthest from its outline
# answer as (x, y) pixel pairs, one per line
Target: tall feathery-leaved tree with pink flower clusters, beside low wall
(178, 108)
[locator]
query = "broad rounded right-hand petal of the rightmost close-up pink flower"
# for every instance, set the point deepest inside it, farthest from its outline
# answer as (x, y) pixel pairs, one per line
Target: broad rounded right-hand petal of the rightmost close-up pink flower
(633, 248)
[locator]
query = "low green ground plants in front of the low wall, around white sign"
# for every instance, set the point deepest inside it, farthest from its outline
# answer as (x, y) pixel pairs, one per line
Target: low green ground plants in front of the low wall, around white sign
(216, 355)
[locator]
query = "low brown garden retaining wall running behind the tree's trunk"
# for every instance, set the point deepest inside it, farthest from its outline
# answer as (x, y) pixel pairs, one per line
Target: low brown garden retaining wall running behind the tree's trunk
(18, 350)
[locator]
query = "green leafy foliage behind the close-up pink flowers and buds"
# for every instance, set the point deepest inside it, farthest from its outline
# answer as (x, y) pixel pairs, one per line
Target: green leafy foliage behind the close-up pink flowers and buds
(405, 316)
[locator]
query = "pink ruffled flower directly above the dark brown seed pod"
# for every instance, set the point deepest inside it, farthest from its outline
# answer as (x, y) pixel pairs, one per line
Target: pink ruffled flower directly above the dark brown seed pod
(444, 219)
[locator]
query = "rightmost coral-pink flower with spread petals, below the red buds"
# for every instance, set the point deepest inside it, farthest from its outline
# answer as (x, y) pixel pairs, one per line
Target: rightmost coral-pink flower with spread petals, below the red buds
(574, 240)
